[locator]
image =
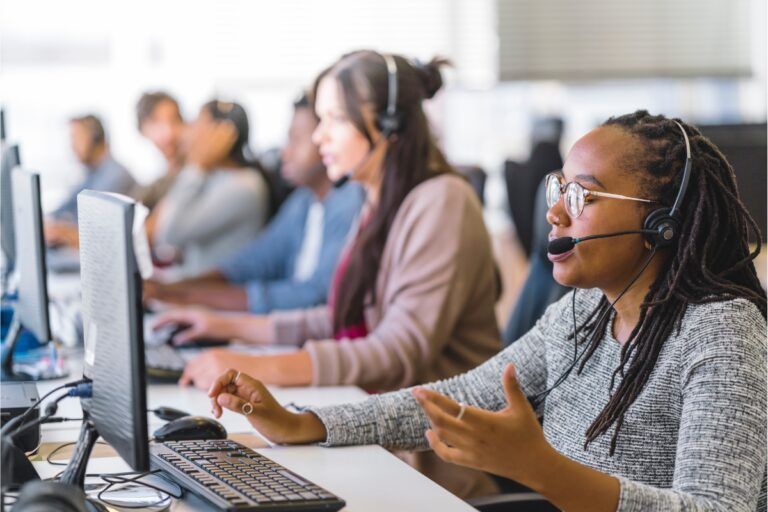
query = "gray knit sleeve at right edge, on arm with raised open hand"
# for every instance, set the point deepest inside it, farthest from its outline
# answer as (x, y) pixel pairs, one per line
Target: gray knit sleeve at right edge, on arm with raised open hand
(721, 450)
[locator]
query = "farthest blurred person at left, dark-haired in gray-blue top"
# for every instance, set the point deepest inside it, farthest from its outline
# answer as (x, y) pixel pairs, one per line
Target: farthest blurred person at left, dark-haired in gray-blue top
(103, 172)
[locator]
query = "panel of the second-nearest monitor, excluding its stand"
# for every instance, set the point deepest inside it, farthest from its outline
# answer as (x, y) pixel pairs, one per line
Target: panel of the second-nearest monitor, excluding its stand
(32, 306)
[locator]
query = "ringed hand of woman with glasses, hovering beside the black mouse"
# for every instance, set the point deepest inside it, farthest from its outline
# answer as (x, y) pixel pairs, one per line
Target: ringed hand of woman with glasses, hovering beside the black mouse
(245, 395)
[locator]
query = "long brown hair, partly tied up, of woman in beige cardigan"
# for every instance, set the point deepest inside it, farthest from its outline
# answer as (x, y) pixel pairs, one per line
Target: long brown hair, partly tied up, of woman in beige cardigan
(412, 157)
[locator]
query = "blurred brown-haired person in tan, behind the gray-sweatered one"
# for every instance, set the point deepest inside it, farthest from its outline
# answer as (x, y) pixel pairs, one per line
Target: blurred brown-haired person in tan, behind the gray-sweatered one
(160, 121)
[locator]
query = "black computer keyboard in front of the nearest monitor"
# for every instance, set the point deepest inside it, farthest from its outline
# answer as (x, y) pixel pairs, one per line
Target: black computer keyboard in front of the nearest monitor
(233, 477)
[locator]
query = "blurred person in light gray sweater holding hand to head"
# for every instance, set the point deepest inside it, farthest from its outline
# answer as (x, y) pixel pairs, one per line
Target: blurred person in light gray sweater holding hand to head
(219, 201)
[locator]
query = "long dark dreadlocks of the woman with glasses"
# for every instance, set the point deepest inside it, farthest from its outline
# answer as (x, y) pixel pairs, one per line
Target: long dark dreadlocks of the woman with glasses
(711, 261)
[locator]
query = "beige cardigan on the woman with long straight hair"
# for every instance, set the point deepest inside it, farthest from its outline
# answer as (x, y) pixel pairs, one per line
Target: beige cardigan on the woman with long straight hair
(434, 313)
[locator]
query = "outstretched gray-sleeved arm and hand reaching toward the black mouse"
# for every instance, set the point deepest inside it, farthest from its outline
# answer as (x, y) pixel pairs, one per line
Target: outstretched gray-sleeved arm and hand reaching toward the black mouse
(391, 419)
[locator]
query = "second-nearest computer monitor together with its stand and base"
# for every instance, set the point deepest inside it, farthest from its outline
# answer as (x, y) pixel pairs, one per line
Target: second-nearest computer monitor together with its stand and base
(31, 310)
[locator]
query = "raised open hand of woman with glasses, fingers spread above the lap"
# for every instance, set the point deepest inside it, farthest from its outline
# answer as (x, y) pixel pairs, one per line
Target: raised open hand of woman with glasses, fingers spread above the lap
(508, 443)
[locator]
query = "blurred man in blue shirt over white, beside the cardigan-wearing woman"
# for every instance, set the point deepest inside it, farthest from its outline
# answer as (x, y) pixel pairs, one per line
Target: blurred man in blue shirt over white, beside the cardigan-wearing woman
(290, 265)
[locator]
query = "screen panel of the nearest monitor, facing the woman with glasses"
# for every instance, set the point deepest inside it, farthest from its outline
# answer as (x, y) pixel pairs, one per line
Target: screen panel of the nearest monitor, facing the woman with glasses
(112, 324)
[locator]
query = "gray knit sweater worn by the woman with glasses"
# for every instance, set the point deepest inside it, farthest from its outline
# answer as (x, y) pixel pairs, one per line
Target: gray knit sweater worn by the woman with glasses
(695, 438)
